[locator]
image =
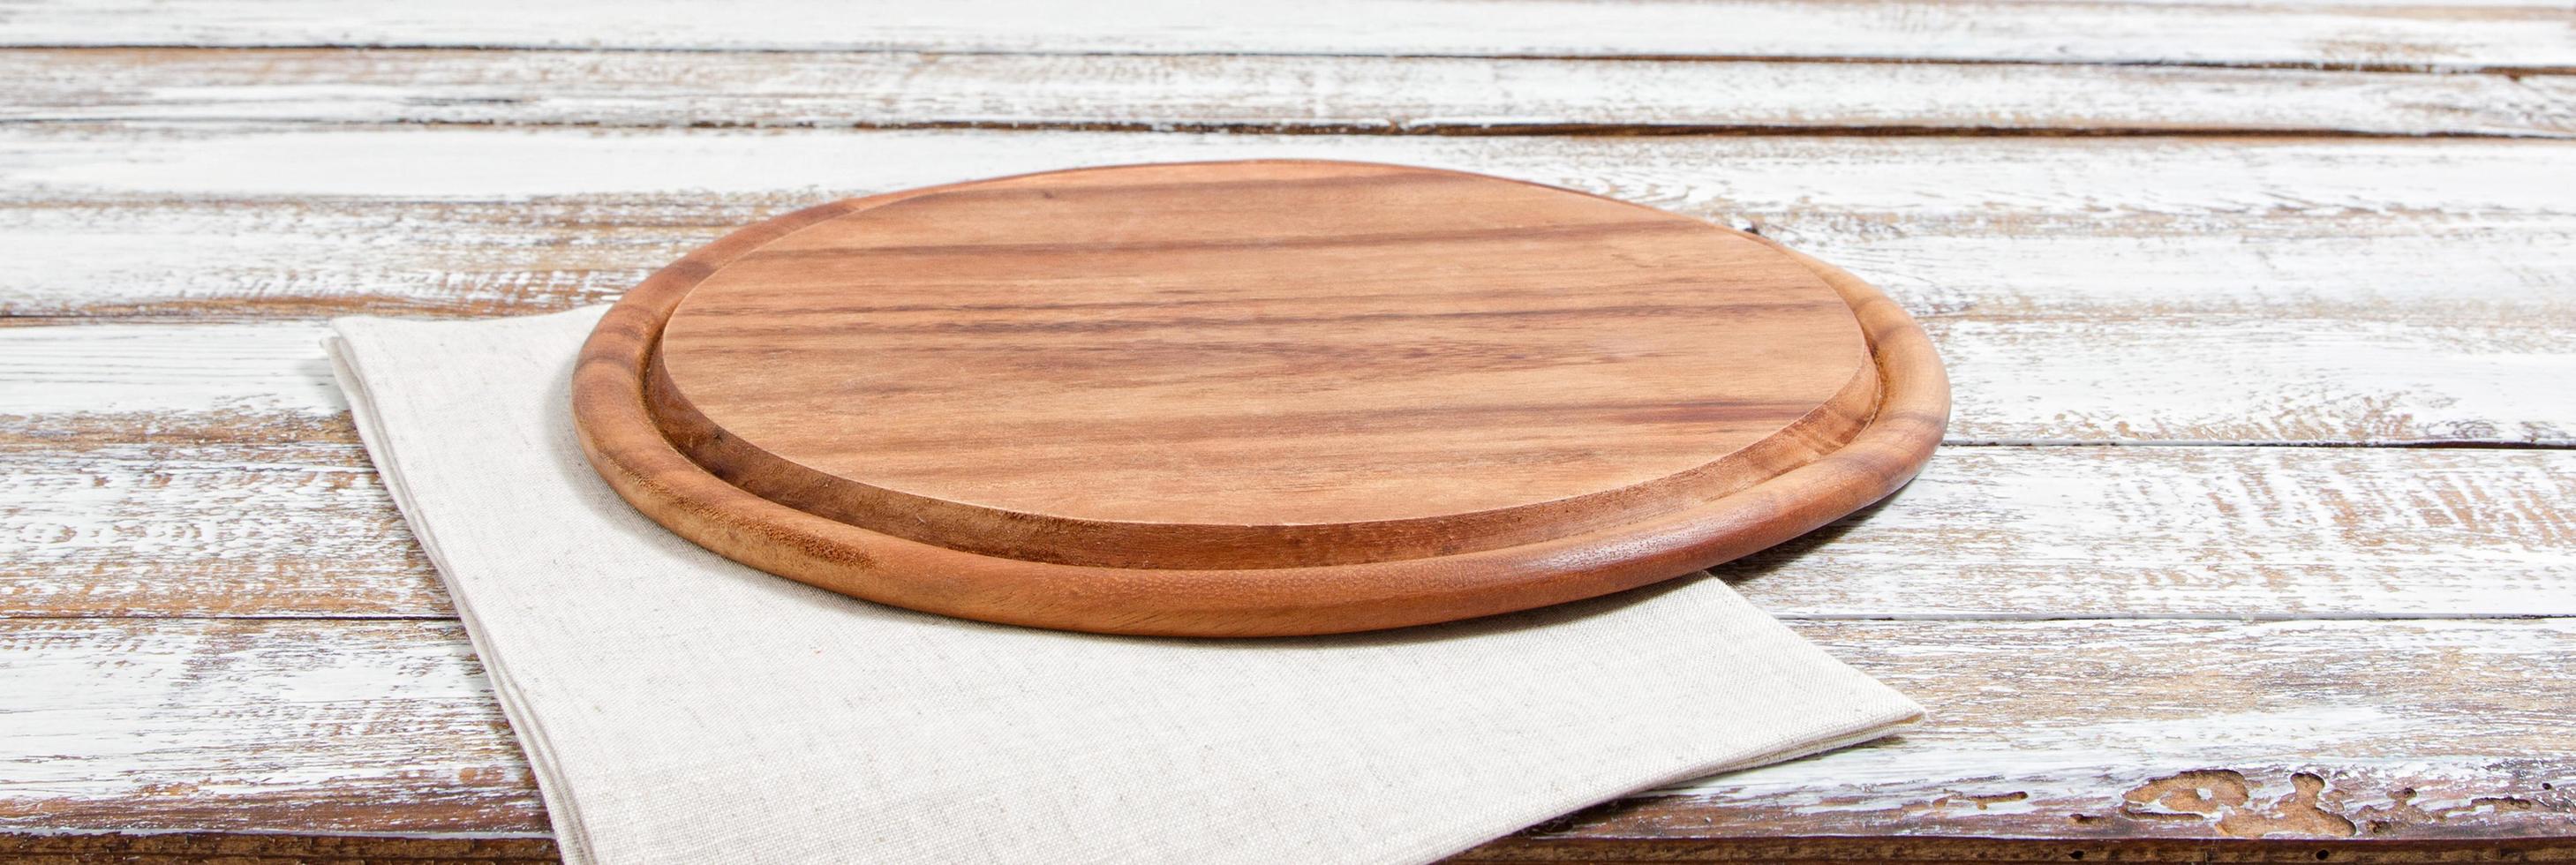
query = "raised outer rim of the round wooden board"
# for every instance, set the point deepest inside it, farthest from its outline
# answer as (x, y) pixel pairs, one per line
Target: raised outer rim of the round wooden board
(632, 454)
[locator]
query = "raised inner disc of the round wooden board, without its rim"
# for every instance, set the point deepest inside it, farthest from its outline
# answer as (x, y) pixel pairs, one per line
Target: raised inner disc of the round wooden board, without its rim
(1217, 364)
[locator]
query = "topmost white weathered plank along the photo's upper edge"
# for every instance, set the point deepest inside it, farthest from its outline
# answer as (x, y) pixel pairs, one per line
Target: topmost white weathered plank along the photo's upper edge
(2436, 35)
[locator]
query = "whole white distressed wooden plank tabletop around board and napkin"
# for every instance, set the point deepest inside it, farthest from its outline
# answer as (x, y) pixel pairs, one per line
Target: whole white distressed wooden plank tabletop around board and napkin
(2255, 534)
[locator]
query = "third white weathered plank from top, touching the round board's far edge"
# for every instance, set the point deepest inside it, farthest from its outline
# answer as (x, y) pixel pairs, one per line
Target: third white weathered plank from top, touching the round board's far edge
(2060, 179)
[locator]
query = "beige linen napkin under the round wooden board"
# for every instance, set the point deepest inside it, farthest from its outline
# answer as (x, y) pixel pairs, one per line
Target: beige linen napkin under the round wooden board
(687, 709)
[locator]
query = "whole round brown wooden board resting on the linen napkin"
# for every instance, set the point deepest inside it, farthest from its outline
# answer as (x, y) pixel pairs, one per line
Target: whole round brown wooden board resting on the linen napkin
(1251, 398)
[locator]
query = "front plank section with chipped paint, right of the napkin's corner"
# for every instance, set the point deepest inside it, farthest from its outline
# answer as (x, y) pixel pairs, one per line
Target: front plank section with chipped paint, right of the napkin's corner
(2088, 727)
